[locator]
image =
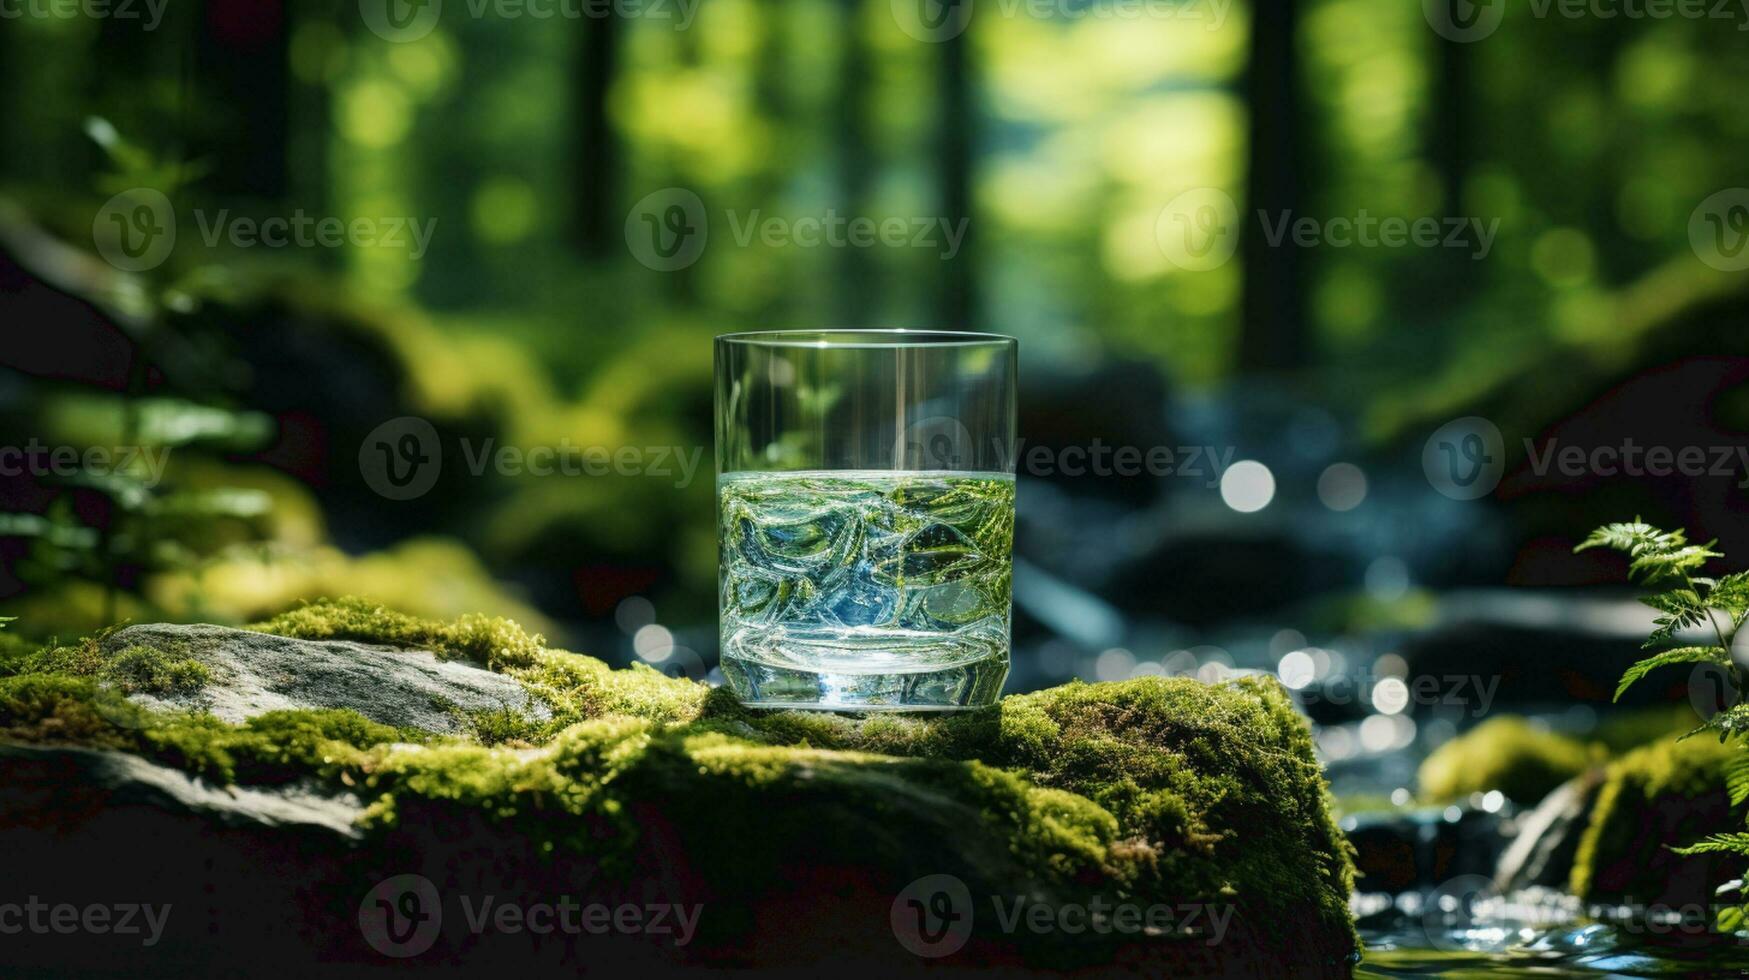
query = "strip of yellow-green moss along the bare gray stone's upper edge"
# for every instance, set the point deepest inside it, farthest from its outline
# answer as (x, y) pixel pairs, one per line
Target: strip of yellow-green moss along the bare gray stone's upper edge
(491, 641)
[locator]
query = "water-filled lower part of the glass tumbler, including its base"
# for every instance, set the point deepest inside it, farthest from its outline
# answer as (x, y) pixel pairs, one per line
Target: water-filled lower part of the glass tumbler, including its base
(867, 589)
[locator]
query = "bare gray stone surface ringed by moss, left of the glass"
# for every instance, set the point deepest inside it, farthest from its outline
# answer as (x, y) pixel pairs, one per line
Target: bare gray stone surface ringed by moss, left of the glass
(260, 673)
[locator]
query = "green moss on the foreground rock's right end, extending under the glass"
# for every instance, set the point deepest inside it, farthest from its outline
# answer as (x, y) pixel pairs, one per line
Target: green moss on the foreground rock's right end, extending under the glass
(1213, 788)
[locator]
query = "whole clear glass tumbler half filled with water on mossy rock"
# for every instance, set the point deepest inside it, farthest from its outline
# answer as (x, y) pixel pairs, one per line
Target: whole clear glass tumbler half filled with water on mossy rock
(865, 517)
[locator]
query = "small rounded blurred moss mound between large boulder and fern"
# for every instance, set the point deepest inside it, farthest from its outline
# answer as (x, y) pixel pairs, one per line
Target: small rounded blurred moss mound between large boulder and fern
(1505, 753)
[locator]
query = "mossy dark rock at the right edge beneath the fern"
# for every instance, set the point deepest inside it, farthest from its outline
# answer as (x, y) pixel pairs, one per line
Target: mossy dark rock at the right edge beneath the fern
(1664, 795)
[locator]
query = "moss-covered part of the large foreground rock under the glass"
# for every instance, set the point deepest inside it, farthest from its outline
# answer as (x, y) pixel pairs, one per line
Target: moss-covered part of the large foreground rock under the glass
(1152, 792)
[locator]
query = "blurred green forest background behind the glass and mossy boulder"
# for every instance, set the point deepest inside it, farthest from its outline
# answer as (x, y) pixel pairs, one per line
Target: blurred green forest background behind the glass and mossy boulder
(1057, 134)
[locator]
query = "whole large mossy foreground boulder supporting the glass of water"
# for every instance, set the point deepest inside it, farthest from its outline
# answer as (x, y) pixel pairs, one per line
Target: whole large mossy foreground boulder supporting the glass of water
(798, 836)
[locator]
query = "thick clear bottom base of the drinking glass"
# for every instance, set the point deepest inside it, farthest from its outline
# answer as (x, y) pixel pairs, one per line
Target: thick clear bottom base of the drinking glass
(963, 687)
